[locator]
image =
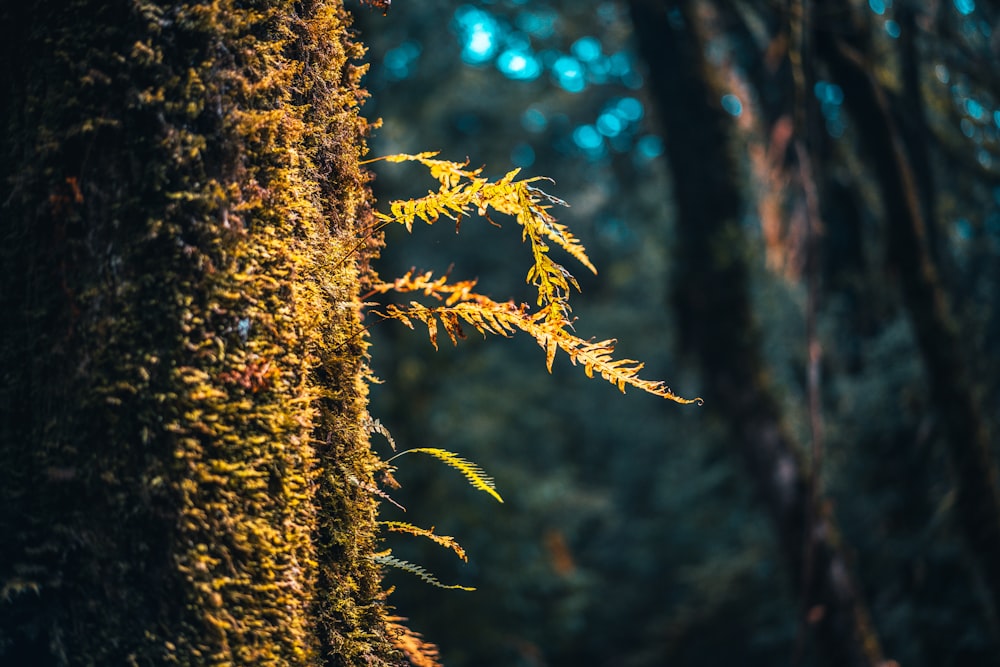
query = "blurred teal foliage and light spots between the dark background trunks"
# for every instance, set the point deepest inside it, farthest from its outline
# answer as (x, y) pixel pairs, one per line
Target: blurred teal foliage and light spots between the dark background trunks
(630, 533)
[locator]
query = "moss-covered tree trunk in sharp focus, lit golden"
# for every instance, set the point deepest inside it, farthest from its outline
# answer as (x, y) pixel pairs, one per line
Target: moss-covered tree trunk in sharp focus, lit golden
(182, 405)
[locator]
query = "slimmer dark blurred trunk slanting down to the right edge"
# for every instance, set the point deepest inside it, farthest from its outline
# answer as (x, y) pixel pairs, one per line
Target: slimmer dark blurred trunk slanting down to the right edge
(953, 388)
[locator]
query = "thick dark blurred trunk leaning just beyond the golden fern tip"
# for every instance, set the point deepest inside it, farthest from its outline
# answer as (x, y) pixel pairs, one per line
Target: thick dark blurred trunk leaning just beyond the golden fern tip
(714, 312)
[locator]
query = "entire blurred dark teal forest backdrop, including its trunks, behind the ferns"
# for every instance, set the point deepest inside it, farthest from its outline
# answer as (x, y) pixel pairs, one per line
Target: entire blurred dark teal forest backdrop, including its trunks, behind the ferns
(794, 208)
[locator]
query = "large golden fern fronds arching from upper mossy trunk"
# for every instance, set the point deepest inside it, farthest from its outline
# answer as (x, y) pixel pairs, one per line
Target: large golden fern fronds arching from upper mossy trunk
(460, 191)
